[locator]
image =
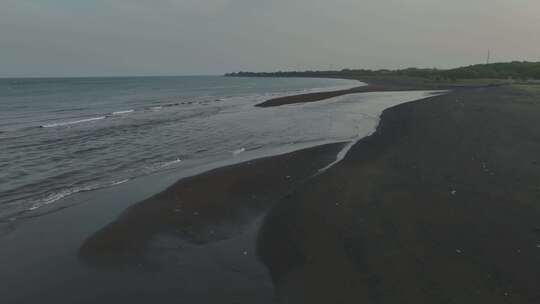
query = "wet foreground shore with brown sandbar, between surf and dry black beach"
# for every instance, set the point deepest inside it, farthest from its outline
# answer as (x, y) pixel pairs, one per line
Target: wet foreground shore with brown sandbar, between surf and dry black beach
(120, 250)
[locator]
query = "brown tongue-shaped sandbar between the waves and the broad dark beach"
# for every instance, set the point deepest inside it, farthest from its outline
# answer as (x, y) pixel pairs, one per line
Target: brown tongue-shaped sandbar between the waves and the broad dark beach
(203, 209)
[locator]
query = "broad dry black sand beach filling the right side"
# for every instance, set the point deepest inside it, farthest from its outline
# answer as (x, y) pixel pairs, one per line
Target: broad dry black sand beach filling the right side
(440, 205)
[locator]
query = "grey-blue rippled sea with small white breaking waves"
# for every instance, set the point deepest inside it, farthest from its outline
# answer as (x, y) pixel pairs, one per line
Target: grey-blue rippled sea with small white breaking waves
(59, 136)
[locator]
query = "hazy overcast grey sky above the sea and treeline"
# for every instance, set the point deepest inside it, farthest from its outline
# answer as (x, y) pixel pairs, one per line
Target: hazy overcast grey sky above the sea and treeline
(187, 37)
